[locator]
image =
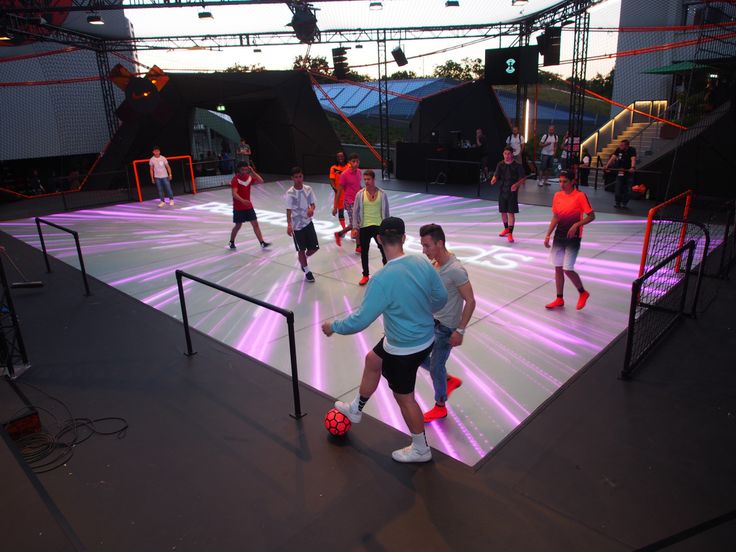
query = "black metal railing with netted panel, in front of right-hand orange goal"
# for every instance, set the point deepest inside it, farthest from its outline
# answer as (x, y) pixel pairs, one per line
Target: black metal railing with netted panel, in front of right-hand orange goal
(655, 309)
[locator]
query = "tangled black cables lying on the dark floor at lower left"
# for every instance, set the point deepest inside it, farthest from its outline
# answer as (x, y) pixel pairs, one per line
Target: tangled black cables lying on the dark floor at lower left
(46, 450)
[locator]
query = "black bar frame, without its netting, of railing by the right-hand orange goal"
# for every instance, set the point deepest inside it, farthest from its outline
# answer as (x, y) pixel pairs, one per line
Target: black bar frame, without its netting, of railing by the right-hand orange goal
(629, 366)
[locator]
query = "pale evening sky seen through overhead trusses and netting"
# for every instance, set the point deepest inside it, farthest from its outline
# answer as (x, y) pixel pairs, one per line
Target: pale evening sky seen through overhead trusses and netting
(356, 15)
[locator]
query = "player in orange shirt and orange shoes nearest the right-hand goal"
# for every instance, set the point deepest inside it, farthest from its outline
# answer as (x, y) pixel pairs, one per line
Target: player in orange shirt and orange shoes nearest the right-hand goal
(571, 211)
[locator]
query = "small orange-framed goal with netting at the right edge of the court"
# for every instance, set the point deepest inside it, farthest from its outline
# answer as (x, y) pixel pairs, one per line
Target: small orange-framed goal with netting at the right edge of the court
(662, 237)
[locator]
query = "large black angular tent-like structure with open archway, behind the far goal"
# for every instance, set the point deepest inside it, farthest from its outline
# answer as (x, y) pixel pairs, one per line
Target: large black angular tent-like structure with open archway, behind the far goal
(276, 111)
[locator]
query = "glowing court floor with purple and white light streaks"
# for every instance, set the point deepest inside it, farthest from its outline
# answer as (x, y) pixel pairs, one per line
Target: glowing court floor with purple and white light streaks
(515, 354)
